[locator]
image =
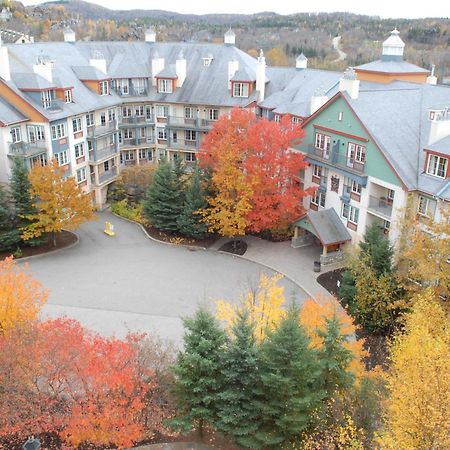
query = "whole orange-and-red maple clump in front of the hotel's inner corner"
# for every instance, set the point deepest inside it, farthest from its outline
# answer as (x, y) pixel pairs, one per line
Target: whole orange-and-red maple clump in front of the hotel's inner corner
(258, 154)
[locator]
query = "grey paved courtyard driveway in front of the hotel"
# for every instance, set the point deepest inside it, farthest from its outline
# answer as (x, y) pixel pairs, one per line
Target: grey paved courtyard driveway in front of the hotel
(130, 283)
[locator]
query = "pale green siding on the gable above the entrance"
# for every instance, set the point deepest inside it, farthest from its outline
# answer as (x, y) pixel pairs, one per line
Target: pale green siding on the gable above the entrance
(376, 165)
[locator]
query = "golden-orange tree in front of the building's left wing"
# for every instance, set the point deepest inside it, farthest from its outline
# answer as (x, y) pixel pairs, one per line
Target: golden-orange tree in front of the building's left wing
(60, 203)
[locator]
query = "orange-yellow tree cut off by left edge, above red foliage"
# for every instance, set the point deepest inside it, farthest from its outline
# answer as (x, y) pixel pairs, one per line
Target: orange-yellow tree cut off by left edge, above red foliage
(21, 296)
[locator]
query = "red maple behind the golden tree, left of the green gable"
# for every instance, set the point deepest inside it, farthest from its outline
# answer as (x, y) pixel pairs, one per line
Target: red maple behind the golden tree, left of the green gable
(263, 151)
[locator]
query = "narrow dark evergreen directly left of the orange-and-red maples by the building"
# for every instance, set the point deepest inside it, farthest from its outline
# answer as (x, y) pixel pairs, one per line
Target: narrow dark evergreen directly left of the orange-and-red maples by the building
(190, 223)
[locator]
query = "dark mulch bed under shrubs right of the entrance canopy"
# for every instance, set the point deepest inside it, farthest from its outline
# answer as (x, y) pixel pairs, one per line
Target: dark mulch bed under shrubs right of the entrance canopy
(375, 344)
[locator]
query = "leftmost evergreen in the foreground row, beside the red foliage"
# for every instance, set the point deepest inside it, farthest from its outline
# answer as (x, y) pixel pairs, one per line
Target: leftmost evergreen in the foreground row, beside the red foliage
(197, 372)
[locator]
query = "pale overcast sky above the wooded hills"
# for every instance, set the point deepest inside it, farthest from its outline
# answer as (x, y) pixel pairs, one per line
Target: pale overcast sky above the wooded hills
(383, 8)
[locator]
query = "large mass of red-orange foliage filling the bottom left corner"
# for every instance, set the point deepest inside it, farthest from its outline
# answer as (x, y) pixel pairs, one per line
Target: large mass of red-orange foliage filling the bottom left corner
(58, 377)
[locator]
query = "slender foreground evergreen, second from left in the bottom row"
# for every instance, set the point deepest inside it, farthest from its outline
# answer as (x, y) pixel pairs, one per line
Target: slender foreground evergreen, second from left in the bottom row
(238, 416)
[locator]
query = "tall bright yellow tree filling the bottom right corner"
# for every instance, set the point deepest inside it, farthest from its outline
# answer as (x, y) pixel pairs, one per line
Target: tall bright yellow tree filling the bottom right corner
(416, 411)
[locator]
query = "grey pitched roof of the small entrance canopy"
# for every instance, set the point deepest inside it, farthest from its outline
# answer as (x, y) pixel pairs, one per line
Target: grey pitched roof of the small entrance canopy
(325, 225)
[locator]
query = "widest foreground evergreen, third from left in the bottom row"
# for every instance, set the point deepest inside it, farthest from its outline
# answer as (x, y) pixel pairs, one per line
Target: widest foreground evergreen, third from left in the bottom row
(291, 393)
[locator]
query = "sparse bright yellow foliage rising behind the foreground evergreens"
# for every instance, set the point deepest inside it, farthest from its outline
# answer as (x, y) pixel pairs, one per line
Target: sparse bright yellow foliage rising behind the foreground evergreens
(264, 305)
